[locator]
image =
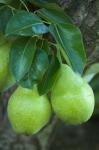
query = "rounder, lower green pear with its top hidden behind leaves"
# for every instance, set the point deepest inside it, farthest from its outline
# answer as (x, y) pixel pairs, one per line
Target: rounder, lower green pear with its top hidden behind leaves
(27, 111)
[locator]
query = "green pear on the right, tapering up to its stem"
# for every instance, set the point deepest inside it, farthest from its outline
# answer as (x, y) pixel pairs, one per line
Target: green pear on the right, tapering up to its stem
(72, 97)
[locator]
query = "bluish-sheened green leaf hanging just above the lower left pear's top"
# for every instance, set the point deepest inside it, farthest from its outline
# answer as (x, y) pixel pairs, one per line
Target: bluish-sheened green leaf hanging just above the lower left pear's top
(37, 70)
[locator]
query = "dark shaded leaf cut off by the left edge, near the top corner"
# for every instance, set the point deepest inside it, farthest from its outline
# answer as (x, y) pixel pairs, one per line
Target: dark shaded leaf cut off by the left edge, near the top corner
(5, 15)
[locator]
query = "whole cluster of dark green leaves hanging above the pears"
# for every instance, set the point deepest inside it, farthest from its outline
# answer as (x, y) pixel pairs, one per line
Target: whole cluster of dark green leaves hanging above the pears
(41, 39)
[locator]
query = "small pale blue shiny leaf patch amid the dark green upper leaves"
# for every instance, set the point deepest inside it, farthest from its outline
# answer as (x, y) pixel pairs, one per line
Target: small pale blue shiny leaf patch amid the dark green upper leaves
(39, 29)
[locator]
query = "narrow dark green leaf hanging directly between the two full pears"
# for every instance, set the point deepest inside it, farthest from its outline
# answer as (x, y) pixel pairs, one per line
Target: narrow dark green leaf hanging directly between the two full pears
(49, 77)
